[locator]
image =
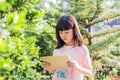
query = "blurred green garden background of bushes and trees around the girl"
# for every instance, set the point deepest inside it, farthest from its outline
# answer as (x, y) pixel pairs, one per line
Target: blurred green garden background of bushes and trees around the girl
(27, 32)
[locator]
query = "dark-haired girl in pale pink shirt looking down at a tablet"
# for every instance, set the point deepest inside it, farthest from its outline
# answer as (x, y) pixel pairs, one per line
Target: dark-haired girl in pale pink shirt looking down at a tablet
(70, 43)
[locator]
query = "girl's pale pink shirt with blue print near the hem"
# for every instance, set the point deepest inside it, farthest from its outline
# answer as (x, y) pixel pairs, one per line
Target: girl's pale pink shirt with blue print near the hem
(77, 53)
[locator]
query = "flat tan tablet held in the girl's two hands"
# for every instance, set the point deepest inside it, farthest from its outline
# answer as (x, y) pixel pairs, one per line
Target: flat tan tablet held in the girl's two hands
(56, 62)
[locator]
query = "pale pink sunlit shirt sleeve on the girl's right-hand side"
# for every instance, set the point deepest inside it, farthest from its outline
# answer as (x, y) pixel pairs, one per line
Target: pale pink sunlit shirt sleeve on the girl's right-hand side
(86, 58)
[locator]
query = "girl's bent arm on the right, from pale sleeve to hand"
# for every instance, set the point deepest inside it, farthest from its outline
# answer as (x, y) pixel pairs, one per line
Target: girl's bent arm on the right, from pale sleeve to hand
(86, 67)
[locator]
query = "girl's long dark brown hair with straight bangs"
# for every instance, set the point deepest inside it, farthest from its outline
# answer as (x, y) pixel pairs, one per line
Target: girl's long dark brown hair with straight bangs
(67, 22)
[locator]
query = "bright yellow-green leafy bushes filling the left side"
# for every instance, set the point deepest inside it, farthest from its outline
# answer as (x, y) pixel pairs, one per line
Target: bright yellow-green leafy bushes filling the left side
(19, 54)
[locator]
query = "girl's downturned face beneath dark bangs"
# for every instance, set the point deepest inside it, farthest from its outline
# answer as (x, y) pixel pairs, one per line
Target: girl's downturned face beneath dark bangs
(67, 36)
